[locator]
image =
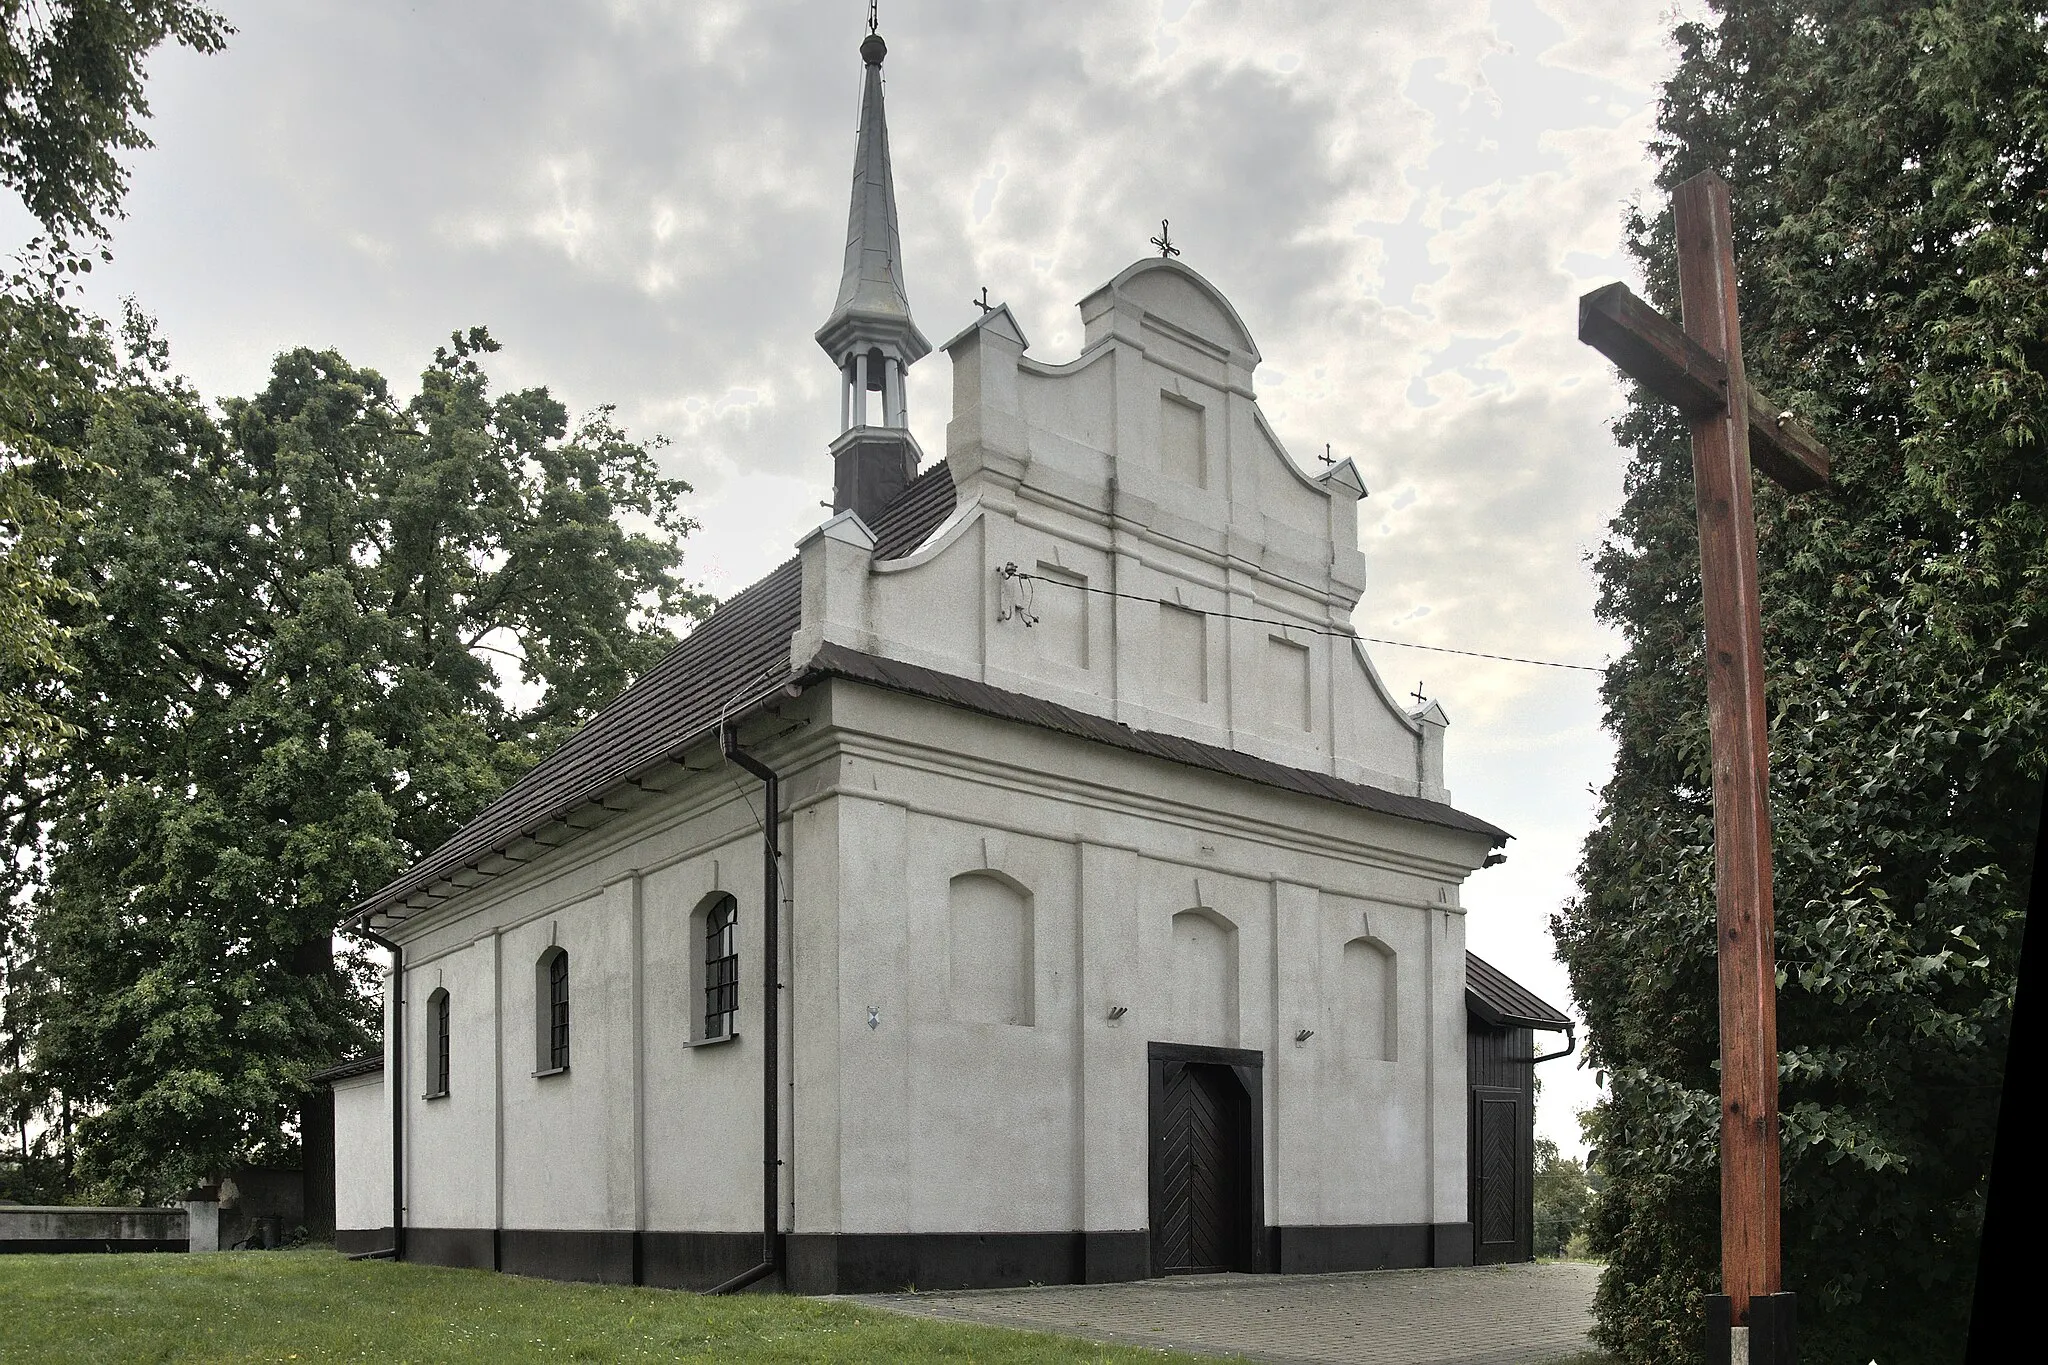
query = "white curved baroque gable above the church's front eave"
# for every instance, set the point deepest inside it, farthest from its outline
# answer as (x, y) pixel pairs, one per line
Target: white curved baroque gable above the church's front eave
(1072, 474)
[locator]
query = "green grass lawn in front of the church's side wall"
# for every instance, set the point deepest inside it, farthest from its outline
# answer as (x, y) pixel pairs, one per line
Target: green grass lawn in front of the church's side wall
(321, 1307)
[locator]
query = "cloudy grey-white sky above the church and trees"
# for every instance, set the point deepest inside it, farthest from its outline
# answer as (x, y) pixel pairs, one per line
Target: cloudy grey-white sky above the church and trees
(648, 206)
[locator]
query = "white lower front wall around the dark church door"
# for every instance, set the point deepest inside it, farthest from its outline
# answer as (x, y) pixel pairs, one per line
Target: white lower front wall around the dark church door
(1142, 883)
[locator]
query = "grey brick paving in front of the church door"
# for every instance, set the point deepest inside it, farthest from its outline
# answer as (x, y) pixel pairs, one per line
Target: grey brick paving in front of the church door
(1498, 1315)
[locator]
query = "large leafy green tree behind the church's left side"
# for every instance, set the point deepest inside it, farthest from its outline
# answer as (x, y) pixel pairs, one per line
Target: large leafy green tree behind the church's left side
(284, 693)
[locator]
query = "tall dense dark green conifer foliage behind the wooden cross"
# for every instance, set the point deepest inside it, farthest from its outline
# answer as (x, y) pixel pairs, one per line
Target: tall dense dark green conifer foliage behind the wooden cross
(1891, 208)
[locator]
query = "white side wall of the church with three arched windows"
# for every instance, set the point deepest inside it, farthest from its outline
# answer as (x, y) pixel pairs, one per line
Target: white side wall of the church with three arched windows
(642, 1131)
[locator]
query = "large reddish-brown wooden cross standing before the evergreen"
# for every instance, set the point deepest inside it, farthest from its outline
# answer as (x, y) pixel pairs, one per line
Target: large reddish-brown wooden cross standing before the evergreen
(1699, 369)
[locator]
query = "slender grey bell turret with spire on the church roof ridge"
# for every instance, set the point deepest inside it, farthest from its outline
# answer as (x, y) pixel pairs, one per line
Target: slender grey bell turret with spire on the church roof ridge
(871, 335)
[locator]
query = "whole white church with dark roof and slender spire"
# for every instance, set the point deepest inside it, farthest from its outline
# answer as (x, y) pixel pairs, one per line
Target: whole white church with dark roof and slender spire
(1031, 881)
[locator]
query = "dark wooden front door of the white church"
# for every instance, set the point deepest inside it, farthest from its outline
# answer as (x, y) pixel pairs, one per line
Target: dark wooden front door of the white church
(1205, 1168)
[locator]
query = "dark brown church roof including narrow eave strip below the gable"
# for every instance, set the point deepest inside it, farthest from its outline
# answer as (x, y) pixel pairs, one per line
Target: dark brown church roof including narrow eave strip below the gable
(740, 654)
